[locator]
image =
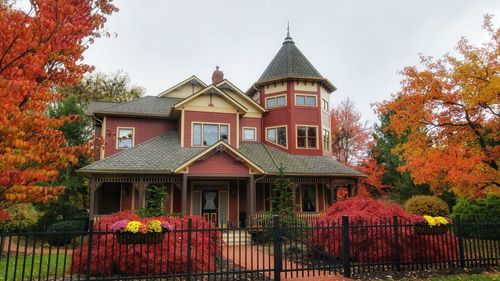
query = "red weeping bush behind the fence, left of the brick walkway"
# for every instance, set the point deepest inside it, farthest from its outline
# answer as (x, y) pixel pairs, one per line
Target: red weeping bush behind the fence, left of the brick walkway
(109, 257)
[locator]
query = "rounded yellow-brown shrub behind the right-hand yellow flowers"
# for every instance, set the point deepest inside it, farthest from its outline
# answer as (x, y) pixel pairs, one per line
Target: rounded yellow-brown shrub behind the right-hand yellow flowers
(427, 205)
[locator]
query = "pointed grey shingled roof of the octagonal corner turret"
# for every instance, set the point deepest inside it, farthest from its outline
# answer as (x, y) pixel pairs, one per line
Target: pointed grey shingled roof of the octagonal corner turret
(290, 63)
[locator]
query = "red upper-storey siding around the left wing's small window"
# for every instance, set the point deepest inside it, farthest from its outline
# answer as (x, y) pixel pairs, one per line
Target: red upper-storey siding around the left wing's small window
(144, 129)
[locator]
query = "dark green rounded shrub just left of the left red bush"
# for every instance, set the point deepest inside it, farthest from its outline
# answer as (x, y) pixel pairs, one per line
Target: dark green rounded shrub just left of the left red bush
(64, 231)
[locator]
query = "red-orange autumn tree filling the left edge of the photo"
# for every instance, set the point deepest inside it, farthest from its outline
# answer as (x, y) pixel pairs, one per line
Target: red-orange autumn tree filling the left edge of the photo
(40, 47)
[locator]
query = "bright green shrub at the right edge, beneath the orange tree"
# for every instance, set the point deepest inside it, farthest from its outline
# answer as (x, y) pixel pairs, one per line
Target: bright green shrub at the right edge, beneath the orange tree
(485, 212)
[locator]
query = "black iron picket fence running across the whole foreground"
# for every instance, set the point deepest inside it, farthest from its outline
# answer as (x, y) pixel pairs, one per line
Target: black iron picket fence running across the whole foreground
(272, 252)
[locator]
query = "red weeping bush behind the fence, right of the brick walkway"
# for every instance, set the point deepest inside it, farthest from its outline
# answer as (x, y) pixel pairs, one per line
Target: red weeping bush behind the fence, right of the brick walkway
(376, 244)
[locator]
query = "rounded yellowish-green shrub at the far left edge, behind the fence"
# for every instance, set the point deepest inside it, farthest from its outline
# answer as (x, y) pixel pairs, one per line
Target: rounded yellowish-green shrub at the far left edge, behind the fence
(22, 217)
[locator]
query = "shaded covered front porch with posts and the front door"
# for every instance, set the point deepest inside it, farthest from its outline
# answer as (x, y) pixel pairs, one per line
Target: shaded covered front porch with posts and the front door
(224, 200)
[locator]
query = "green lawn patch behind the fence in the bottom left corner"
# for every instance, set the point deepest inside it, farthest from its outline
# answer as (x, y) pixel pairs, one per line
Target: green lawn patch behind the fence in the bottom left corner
(33, 261)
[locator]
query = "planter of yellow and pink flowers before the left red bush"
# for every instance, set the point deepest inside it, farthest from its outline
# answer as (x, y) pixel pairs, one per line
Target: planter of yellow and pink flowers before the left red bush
(136, 232)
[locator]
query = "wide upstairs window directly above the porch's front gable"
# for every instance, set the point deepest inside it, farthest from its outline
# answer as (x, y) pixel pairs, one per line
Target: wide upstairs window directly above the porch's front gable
(208, 134)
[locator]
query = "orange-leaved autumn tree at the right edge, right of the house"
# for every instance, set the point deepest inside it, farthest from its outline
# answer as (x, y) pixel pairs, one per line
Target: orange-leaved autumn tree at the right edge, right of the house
(449, 111)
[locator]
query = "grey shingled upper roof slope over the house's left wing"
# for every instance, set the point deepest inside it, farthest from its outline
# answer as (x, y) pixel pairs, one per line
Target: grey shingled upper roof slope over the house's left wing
(147, 106)
